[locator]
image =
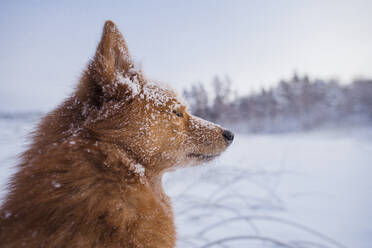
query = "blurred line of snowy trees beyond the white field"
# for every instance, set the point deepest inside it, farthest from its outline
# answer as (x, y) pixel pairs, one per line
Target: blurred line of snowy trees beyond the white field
(298, 103)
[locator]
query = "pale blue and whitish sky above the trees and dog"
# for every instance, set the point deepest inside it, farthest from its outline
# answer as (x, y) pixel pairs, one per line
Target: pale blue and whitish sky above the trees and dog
(45, 45)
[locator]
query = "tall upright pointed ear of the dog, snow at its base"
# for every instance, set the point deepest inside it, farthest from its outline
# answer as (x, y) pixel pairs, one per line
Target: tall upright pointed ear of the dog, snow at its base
(112, 69)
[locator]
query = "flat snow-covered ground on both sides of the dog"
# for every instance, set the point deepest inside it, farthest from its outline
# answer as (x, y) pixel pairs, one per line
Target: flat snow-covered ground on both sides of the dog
(295, 190)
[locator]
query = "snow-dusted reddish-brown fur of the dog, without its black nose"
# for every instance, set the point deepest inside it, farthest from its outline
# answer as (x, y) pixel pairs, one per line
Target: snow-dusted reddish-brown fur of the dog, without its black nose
(92, 176)
